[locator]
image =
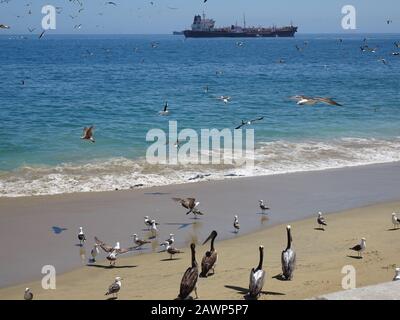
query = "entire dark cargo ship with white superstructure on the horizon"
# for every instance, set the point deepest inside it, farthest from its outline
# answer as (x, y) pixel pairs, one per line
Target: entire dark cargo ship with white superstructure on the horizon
(205, 28)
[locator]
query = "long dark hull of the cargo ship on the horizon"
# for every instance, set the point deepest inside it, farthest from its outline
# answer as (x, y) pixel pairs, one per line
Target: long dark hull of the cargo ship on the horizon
(225, 34)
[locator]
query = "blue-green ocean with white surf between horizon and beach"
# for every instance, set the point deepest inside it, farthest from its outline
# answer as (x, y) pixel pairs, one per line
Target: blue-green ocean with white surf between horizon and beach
(53, 87)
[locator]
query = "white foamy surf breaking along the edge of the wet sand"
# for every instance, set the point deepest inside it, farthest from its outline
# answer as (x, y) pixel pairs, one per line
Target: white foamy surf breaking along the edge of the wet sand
(270, 158)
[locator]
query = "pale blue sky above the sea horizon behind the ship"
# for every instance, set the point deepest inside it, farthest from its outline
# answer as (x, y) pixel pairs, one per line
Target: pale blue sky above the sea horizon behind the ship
(165, 16)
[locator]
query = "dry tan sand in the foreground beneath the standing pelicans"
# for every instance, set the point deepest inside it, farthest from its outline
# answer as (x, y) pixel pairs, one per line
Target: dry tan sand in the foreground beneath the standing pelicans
(320, 258)
